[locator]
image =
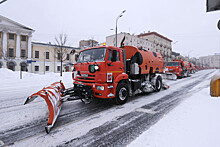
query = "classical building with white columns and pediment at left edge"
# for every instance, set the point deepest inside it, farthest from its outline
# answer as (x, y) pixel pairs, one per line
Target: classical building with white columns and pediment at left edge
(15, 45)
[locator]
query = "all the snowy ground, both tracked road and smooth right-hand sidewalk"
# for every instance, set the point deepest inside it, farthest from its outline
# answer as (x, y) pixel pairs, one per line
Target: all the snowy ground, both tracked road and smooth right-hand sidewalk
(192, 123)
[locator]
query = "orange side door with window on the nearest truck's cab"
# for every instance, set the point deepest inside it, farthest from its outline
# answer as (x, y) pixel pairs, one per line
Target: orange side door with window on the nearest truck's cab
(115, 64)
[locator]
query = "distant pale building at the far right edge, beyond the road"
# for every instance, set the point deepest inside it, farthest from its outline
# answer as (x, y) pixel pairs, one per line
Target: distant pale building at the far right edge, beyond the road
(211, 60)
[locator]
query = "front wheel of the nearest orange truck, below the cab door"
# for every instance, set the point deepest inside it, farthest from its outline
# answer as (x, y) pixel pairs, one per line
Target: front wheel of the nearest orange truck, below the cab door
(121, 94)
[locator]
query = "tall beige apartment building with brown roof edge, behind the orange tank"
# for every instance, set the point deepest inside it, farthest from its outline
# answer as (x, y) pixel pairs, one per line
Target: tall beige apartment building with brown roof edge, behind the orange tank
(161, 44)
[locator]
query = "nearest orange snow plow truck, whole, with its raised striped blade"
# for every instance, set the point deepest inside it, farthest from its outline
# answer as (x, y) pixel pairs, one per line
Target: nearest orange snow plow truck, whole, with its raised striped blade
(106, 73)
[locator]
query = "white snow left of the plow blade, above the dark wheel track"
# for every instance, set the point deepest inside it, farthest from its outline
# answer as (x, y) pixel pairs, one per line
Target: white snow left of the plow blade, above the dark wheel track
(14, 92)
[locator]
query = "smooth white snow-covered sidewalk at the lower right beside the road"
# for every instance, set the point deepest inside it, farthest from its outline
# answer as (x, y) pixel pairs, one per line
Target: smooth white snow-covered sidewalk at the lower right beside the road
(195, 123)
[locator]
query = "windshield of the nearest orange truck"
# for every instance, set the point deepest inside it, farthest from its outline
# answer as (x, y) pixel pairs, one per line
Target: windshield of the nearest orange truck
(92, 55)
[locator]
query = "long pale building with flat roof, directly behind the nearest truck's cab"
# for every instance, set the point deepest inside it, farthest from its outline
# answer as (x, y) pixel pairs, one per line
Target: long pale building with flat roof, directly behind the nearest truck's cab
(131, 40)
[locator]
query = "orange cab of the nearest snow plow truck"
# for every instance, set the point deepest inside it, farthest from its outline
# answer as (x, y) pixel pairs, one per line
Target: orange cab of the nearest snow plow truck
(98, 70)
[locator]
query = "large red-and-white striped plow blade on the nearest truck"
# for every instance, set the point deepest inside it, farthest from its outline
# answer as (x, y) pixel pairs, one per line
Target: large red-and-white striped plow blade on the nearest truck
(53, 97)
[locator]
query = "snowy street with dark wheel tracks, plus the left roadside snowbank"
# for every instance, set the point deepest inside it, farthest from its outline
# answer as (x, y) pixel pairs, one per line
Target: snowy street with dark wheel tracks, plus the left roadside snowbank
(96, 124)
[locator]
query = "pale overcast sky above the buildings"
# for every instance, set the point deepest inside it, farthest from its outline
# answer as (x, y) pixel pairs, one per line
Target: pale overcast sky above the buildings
(186, 22)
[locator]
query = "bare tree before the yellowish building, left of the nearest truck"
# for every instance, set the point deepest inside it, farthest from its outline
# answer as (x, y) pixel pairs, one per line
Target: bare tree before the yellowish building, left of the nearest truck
(61, 50)
